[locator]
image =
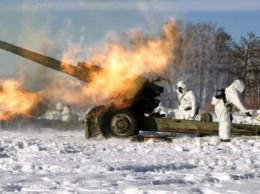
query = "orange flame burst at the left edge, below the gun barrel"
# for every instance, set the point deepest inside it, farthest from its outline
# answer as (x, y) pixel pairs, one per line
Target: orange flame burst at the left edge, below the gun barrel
(17, 102)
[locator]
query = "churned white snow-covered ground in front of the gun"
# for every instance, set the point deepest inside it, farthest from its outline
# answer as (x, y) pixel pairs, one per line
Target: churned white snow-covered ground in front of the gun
(51, 161)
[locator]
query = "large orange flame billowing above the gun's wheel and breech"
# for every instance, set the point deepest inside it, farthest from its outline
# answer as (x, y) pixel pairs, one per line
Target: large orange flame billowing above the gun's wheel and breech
(123, 64)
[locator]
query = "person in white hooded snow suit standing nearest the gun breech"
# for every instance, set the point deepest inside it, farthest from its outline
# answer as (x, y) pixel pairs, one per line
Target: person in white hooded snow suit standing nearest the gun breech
(187, 100)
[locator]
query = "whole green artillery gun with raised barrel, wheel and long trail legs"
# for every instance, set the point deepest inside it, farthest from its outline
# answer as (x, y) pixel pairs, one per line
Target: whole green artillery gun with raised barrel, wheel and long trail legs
(111, 120)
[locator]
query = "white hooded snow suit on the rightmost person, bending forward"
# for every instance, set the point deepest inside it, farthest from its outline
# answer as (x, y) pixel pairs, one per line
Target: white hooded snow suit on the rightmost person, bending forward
(224, 116)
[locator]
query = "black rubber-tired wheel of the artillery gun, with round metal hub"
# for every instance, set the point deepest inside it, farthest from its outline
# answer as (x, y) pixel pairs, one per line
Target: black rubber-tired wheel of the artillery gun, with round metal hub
(119, 123)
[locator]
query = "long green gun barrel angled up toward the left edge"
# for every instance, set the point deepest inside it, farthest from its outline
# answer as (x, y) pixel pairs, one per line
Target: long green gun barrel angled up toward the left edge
(44, 60)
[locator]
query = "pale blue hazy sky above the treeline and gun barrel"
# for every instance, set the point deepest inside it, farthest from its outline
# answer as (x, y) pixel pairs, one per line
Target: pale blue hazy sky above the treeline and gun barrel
(52, 25)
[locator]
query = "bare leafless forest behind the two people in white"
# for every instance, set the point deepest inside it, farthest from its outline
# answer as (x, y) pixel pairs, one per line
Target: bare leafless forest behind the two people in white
(208, 58)
